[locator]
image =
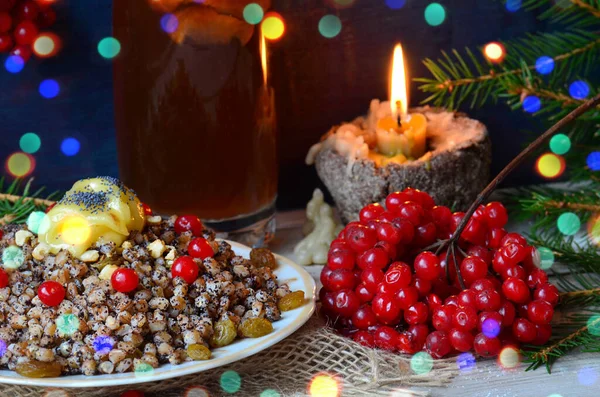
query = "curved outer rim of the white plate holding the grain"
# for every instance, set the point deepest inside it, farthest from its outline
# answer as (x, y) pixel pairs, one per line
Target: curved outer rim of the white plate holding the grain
(298, 321)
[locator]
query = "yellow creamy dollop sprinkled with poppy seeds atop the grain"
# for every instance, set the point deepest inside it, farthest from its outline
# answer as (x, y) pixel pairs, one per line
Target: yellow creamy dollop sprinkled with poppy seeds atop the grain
(95, 210)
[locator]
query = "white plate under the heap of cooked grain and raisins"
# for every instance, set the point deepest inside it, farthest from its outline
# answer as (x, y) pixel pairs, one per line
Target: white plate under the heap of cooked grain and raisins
(287, 272)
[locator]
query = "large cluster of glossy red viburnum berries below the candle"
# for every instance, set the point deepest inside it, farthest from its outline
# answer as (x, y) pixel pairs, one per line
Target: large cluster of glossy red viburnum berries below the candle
(383, 288)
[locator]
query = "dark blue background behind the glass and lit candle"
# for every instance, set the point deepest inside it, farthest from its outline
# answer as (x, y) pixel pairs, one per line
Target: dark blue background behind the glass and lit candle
(319, 82)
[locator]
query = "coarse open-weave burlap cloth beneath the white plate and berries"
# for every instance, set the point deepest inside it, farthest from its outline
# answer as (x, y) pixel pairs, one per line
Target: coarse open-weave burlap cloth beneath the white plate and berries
(288, 369)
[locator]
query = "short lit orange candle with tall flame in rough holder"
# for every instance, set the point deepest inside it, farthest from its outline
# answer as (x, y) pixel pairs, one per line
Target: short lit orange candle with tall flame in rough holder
(401, 135)
